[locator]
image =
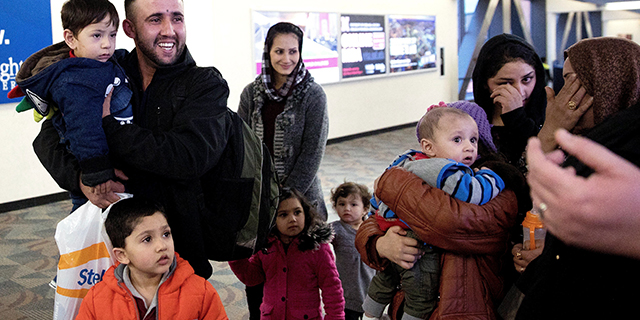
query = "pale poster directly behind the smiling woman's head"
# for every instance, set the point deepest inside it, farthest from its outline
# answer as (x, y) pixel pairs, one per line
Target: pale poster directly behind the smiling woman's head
(319, 47)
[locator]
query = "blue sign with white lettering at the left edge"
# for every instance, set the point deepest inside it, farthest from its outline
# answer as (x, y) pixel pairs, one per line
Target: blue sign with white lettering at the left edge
(25, 27)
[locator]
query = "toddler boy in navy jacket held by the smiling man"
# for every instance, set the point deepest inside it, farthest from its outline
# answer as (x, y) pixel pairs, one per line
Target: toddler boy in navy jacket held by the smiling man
(68, 82)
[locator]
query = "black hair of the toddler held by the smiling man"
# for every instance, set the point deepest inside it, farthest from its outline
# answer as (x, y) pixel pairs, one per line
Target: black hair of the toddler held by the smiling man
(77, 14)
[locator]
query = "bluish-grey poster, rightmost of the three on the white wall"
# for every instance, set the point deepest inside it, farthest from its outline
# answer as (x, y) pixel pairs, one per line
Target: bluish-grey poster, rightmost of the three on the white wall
(412, 42)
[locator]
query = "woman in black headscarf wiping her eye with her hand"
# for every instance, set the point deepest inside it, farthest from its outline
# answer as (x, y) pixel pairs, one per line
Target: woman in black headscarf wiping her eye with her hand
(508, 83)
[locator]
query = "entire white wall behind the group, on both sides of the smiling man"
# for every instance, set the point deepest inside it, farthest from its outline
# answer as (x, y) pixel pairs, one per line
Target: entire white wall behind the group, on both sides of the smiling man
(220, 34)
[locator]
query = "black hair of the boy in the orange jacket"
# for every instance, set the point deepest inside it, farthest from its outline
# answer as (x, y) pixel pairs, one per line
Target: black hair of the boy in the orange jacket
(125, 215)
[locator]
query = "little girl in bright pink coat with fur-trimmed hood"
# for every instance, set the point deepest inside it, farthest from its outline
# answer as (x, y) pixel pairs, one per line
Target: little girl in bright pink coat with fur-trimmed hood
(296, 265)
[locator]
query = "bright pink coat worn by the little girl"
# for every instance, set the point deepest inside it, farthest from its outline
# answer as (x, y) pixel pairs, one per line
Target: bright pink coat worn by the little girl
(293, 280)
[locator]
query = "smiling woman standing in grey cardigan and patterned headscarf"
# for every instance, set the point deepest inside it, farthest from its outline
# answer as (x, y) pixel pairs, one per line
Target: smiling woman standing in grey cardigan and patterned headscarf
(288, 110)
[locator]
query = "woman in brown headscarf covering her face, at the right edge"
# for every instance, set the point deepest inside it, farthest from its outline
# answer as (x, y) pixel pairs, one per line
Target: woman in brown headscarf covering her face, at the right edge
(568, 282)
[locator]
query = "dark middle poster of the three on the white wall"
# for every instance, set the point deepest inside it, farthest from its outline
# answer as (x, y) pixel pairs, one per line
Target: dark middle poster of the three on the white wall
(362, 45)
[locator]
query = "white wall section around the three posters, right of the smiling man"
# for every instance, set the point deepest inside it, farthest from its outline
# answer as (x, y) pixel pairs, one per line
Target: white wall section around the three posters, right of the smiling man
(354, 106)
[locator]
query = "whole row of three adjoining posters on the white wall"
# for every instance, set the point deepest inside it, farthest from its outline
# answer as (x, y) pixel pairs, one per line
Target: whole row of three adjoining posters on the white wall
(369, 44)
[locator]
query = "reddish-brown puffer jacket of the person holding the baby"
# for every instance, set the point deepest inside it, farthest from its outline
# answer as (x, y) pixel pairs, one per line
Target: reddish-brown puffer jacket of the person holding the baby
(474, 239)
